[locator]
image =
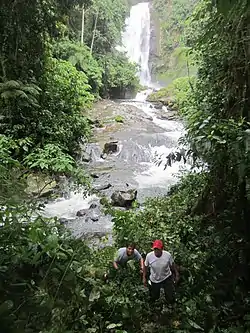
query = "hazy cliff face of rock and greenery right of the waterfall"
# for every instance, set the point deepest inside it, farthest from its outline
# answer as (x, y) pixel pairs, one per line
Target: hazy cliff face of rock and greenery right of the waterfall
(168, 55)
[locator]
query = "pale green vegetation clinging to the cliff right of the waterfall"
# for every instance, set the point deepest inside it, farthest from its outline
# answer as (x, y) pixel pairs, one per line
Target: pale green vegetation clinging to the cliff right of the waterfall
(173, 60)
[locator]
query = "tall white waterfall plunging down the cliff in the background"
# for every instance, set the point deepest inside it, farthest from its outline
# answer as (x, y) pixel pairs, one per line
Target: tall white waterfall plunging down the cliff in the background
(136, 39)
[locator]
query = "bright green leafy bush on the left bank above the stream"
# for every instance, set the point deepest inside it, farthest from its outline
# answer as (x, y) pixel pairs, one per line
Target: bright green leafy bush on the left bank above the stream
(66, 95)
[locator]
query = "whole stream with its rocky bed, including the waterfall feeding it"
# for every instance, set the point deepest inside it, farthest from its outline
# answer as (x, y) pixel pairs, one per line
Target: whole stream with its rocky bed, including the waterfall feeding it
(127, 136)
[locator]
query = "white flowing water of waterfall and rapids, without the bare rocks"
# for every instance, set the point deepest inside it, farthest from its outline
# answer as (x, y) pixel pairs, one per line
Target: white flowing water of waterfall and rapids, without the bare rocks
(134, 163)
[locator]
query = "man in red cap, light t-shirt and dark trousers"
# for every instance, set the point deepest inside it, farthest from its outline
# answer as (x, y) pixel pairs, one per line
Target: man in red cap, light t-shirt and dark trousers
(162, 272)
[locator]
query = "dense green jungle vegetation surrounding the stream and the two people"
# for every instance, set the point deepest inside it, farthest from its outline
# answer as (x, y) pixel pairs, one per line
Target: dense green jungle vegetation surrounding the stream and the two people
(52, 283)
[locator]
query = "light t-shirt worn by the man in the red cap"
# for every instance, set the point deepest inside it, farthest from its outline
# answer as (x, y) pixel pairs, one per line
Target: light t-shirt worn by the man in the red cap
(159, 267)
